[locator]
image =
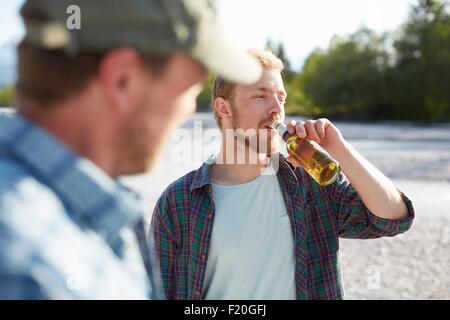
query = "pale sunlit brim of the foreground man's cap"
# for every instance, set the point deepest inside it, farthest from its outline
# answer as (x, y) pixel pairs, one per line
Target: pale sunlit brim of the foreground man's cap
(221, 57)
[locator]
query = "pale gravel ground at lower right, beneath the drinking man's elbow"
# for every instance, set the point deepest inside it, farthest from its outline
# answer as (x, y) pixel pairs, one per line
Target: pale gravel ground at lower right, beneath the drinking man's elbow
(414, 265)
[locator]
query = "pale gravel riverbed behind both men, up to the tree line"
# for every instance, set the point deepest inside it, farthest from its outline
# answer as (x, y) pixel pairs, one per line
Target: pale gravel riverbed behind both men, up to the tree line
(415, 265)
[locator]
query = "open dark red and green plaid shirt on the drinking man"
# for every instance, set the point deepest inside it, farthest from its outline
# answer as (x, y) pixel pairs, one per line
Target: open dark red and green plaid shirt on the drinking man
(183, 219)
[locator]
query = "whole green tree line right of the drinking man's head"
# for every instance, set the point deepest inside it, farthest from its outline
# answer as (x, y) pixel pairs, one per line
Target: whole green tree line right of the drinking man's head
(404, 75)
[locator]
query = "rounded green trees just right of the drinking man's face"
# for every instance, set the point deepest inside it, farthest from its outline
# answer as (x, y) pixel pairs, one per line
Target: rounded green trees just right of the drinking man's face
(346, 81)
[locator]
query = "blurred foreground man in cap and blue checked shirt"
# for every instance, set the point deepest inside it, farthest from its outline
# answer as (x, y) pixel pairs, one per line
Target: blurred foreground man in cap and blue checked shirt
(97, 97)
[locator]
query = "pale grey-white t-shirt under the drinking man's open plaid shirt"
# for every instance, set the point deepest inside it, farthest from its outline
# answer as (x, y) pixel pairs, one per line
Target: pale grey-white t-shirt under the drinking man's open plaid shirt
(251, 255)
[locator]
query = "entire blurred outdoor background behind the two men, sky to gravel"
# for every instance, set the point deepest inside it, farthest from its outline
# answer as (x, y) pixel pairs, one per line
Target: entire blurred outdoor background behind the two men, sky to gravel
(380, 70)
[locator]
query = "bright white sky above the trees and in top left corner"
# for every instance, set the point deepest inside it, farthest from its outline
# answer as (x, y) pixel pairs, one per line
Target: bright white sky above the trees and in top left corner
(300, 25)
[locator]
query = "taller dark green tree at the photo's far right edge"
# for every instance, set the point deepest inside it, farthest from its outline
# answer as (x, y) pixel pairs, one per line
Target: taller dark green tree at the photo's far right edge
(421, 77)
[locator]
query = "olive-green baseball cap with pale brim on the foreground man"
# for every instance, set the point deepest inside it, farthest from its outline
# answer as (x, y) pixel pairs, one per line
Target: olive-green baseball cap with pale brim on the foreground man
(149, 26)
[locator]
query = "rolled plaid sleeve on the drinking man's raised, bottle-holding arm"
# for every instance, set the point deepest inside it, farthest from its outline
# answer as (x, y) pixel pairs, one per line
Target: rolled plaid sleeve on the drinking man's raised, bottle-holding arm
(356, 221)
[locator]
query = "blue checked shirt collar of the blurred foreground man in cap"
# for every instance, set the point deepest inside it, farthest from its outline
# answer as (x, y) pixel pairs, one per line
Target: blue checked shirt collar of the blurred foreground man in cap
(97, 201)
